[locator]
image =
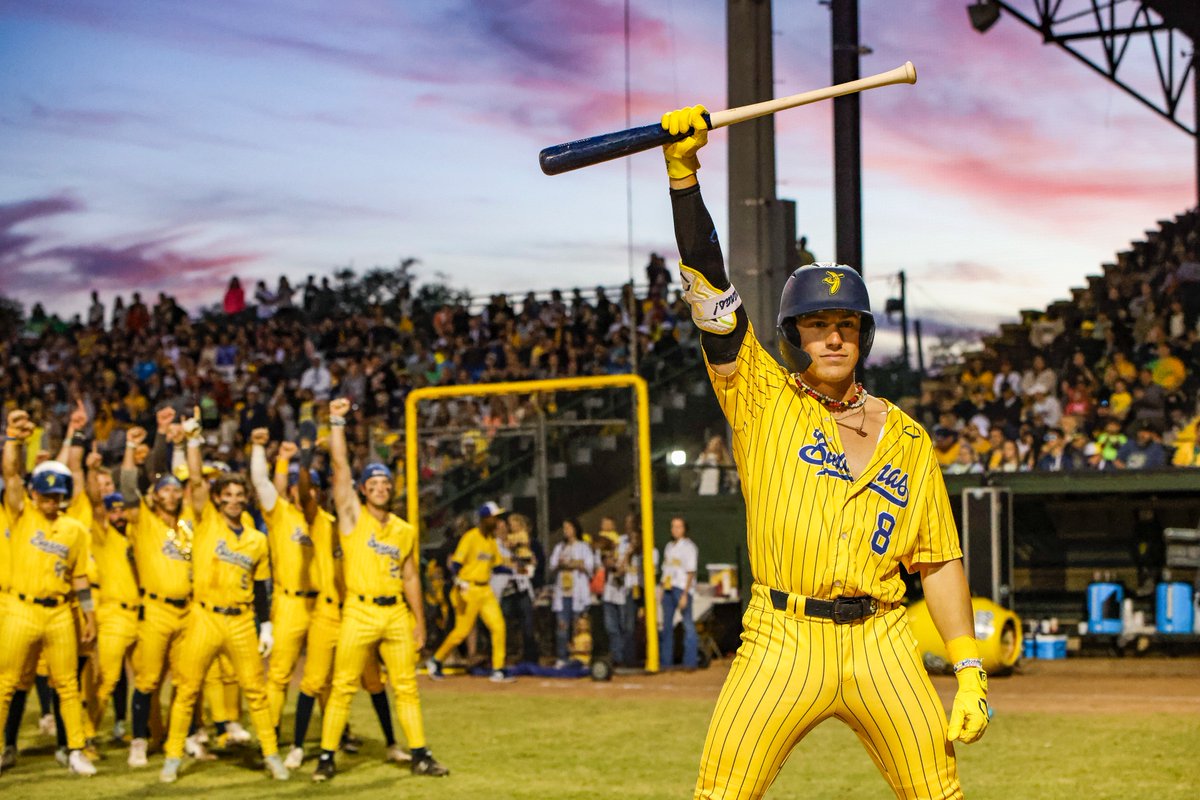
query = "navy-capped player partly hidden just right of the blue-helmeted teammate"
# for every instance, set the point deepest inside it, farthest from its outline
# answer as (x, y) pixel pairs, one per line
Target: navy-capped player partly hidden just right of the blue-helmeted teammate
(117, 613)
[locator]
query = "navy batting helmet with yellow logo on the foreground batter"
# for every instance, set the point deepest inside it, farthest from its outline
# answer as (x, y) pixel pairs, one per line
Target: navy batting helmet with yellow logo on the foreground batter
(823, 287)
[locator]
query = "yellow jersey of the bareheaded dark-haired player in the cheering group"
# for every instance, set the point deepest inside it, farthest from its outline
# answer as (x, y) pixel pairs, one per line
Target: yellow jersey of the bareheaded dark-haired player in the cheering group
(226, 564)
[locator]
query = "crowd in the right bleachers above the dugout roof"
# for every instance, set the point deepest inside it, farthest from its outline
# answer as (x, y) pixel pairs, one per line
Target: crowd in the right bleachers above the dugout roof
(1108, 382)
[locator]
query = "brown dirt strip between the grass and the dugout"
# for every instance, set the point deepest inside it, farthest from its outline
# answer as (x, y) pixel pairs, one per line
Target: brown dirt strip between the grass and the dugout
(1072, 685)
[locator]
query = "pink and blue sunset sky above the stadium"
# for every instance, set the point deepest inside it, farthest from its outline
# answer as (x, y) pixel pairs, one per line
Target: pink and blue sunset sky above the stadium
(170, 146)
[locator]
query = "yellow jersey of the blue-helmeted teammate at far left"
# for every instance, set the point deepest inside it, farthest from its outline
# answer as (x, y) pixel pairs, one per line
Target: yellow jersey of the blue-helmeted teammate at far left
(47, 556)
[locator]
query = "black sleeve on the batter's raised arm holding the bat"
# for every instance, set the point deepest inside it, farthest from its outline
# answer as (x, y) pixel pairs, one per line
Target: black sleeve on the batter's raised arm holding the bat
(701, 250)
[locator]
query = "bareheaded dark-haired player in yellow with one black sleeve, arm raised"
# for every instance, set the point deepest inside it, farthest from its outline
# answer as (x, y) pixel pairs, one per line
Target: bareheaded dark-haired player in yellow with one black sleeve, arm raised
(231, 563)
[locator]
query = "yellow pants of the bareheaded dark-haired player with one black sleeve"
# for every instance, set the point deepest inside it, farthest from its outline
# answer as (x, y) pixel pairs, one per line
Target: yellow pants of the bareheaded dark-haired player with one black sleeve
(208, 635)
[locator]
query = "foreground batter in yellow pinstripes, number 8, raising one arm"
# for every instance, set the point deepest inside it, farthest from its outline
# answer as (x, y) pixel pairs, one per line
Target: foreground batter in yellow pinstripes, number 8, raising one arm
(842, 489)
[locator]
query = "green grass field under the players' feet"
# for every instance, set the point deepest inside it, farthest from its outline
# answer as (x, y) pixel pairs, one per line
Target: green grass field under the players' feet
(502, 745)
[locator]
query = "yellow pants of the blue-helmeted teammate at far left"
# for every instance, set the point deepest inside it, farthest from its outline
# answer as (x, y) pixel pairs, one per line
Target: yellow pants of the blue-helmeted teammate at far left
(28, 627)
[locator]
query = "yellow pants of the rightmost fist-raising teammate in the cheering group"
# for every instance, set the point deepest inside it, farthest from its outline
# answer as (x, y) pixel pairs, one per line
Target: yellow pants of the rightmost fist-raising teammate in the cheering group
(364, 627)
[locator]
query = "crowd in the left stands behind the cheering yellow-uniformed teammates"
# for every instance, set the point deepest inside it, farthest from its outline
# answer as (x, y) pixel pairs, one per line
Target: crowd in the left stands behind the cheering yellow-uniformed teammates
(274, 359)
